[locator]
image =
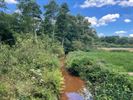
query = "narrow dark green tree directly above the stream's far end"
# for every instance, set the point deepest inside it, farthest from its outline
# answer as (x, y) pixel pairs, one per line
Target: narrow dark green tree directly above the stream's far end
(62, 23)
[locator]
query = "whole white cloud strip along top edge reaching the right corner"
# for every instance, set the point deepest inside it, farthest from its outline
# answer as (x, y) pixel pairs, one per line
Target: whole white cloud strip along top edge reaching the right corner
(101, 3)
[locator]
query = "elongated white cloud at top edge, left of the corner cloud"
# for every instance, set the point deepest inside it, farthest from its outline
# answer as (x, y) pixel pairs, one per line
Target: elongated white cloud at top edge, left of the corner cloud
(97, 3)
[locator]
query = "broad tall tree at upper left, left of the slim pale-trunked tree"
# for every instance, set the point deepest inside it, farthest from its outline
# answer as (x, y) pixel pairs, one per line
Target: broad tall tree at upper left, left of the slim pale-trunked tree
(30, 15)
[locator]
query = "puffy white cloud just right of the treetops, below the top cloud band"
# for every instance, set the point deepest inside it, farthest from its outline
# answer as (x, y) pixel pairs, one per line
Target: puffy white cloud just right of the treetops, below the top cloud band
(103, 20)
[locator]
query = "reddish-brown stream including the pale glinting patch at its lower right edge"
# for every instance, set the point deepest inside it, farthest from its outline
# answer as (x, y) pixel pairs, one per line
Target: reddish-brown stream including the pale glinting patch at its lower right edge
(73, 88)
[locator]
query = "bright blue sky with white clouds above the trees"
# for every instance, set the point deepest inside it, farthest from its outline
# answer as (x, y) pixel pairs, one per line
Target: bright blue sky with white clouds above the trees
(109, 17)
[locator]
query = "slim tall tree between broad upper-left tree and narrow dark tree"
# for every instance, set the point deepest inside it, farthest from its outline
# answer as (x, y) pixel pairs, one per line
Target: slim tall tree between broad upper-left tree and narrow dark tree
(50, 14)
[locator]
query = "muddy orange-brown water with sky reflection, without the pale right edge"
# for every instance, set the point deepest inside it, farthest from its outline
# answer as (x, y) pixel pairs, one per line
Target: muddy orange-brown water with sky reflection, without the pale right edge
(72, 84)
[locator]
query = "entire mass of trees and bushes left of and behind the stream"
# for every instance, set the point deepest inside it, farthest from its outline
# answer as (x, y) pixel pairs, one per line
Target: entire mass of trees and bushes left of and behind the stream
(32, 40)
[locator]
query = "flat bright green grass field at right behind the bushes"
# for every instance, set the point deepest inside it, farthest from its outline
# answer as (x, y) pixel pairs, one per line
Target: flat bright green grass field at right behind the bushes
(122, 61)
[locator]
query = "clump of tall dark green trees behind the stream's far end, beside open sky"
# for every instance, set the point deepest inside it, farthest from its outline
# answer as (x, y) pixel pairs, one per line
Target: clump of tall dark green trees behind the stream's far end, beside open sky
(70, 30)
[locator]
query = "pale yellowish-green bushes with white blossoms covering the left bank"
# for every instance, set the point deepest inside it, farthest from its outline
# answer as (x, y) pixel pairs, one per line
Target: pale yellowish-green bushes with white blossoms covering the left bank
(30, 70)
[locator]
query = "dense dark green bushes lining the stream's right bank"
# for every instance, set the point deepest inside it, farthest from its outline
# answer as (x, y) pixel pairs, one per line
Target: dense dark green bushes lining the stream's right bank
(104, 84)
